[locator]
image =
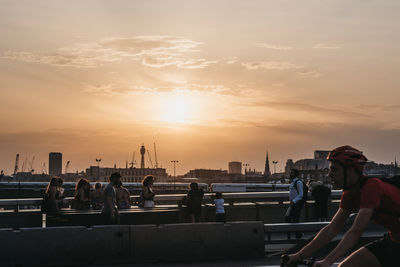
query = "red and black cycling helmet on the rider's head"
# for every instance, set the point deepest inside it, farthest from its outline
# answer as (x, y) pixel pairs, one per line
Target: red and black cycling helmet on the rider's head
(348, 156)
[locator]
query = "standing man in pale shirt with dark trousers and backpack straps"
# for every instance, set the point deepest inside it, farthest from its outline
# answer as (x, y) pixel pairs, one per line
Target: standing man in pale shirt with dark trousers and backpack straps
(296, 198)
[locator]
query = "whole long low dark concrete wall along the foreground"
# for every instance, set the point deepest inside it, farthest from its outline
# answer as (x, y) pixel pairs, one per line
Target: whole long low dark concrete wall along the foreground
(123, 244)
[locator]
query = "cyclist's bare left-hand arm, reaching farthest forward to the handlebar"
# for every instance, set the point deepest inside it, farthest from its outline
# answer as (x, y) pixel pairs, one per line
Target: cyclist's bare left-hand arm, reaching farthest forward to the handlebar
(325, 235)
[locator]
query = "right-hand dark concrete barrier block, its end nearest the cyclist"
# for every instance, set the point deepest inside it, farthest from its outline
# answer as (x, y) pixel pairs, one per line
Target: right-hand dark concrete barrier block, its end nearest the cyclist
(200, 241)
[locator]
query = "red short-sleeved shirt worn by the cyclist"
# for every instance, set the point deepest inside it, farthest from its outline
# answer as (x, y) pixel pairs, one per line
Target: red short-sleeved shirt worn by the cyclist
(380, 196)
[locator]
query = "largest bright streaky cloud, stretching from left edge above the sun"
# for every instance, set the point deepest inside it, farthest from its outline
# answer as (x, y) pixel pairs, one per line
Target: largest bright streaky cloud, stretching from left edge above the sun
(155, 51)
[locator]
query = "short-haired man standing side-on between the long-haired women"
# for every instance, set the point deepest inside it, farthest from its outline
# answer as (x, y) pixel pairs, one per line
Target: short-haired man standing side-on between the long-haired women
(110, 212)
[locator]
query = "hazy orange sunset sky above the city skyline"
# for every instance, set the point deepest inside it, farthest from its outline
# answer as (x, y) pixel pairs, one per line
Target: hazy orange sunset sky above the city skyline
(208, 81)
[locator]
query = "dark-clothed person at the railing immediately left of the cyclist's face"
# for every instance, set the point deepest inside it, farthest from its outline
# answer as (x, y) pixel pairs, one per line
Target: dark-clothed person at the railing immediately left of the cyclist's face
(320, 193)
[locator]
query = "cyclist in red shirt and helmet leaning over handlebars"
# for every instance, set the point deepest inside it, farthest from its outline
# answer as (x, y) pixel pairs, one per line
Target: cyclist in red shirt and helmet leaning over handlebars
(374, 199)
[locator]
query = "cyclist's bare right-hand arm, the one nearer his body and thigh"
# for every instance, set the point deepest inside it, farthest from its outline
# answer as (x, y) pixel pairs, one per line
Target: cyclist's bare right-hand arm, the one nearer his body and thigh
(352, 235)
